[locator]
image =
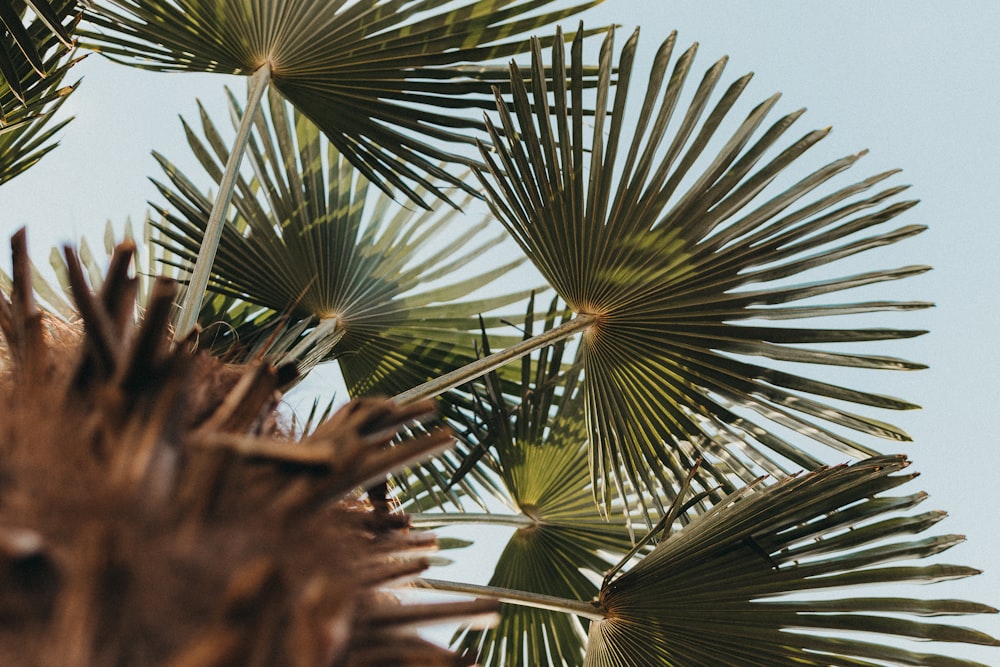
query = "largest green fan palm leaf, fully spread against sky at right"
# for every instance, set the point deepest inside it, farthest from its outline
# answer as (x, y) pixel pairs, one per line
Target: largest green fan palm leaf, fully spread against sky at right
(676, 279)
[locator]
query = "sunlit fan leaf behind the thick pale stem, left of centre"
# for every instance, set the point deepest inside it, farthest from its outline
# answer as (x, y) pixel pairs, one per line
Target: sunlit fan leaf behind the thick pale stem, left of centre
(305, 241)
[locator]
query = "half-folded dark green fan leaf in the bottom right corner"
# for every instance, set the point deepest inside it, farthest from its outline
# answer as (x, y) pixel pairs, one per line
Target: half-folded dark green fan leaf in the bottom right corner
(717, 592)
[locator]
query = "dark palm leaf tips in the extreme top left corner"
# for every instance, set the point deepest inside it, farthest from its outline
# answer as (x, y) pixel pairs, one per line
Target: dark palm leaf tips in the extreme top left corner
(28, 43)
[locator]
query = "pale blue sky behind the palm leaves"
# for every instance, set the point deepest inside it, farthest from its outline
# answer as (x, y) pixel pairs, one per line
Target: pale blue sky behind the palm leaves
(914, 82)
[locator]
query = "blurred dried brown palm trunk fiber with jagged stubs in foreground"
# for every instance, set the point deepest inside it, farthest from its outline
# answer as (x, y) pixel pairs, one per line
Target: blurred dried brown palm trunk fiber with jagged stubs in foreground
(150, 514)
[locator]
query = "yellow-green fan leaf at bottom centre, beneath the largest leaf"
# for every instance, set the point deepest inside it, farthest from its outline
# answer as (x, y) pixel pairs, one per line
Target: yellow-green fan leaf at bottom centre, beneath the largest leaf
(537, 447)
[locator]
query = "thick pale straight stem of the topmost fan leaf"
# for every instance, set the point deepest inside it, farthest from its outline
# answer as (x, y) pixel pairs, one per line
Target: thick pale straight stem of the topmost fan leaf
(213, 233)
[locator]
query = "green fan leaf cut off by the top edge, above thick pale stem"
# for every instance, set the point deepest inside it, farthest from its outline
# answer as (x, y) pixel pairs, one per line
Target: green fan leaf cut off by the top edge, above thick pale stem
(387, 81)
